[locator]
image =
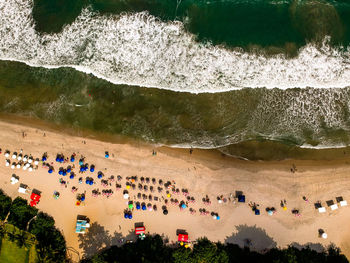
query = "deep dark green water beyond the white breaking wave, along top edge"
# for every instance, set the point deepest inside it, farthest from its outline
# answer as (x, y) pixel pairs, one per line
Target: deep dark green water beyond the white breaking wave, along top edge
(276, 25)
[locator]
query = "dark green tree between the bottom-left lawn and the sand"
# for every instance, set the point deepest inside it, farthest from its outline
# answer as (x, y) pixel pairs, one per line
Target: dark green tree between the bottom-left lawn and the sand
(51, 244)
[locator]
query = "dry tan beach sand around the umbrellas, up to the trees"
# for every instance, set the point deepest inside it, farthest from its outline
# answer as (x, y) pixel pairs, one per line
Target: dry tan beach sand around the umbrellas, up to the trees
(202, 173)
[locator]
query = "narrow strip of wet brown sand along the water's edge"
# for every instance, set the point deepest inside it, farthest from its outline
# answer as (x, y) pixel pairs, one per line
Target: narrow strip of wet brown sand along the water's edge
(247, 150)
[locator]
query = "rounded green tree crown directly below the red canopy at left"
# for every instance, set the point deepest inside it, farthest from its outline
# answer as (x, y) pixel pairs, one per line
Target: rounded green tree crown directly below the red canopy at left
(21, 213)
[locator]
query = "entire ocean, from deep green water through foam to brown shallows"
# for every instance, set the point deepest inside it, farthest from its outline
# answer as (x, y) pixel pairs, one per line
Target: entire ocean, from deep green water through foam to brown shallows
(184, 73)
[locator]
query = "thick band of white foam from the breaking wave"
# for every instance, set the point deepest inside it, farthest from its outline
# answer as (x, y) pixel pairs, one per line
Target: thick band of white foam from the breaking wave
(138, 49)
